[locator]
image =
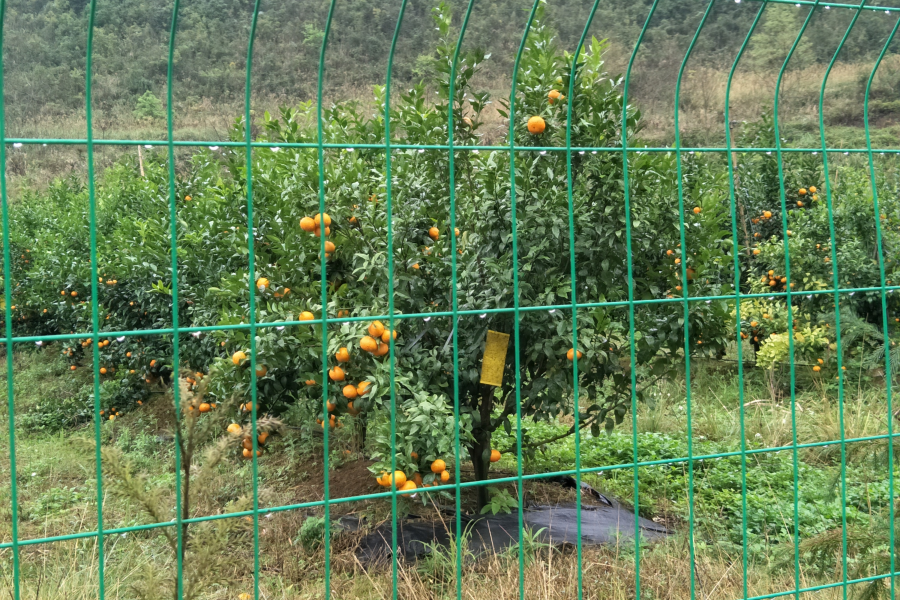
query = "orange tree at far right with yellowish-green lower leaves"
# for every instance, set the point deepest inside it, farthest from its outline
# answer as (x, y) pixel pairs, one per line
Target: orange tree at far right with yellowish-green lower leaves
(808, 240)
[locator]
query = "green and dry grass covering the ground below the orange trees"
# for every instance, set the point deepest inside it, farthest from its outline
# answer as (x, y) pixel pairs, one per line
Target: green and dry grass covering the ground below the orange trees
(57, 495)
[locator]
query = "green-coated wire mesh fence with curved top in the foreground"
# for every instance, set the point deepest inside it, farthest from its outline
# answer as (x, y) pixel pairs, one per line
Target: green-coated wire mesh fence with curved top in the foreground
(455, 313)
